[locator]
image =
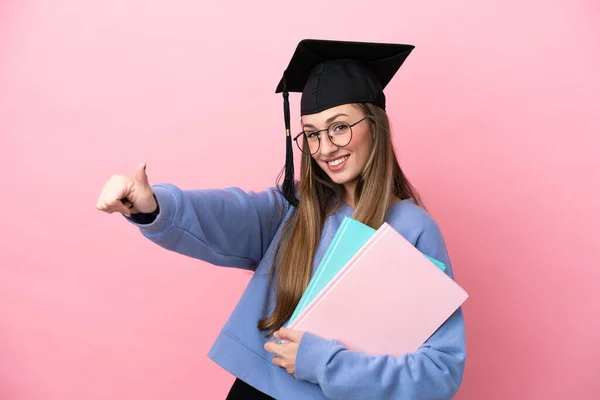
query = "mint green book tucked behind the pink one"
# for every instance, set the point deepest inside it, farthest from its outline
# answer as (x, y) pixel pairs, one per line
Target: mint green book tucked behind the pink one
(348, 239)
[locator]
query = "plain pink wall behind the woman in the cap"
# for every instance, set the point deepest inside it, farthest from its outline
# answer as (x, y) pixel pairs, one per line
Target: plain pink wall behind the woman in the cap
(496, 120)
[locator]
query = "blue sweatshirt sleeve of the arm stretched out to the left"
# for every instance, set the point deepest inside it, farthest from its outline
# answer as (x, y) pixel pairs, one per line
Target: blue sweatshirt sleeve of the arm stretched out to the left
(225, 227)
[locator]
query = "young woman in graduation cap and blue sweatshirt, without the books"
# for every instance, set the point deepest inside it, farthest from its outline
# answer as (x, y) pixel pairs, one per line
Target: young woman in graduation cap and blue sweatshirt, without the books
(349, 168)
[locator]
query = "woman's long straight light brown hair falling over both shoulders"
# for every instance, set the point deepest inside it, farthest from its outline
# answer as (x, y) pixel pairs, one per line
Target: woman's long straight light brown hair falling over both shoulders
(381, 182)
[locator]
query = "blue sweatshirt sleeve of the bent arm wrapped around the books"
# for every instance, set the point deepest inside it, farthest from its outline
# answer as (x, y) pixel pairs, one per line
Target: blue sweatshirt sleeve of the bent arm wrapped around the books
(434, 371)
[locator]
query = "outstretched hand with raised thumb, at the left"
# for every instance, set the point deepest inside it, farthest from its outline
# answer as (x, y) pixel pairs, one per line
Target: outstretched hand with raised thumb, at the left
(127, 195)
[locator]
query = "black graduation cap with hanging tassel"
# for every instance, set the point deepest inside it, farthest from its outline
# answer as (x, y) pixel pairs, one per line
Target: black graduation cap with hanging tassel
(330, 73)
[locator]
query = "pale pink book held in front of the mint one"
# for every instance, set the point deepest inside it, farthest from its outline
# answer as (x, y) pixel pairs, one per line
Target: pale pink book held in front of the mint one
(388, 299)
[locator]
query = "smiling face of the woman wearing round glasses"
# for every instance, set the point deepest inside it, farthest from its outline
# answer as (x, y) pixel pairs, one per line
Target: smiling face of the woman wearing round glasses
(342, 164)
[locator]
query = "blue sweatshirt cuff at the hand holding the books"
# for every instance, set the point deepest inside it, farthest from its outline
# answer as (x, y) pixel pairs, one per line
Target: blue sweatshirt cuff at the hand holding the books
(313, 353)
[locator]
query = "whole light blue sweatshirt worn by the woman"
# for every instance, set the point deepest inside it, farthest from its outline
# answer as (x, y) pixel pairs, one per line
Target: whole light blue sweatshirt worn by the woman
(234, 228)
